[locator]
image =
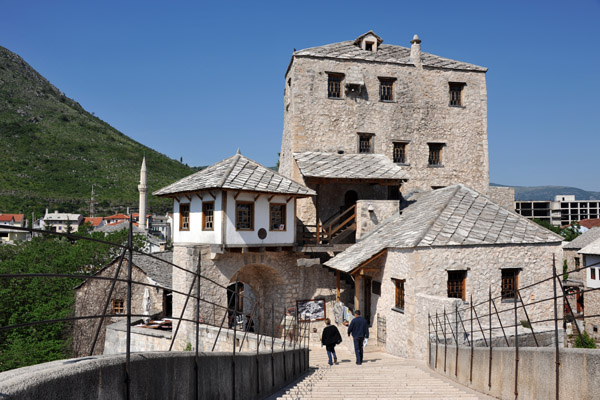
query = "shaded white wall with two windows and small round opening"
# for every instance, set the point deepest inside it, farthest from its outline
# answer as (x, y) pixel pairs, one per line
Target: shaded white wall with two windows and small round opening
(261, 220)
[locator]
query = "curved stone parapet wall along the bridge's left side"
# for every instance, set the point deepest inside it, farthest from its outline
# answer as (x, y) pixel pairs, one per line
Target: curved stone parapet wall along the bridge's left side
(152, 376)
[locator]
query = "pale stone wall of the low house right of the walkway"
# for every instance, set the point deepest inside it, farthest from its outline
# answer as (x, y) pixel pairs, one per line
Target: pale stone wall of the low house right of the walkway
(425, 272)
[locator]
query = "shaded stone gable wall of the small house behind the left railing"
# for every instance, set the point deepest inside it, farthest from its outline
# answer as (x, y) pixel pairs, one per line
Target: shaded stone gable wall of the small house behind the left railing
(90, 299)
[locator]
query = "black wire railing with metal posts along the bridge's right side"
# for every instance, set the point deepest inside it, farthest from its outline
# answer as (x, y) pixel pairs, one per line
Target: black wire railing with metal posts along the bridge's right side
(483, 324)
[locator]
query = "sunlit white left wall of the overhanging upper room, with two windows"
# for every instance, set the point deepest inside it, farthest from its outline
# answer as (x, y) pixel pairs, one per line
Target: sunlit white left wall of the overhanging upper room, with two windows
(196, 234)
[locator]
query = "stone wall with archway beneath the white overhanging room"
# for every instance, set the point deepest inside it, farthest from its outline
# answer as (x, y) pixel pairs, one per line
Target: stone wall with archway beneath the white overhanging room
(275, 278)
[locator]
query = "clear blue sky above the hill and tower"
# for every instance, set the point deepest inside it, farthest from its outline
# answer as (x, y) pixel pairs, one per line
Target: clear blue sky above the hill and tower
(199, 79)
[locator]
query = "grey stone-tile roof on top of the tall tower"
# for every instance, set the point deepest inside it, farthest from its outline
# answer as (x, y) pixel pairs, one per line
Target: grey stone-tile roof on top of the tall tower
(386, 53)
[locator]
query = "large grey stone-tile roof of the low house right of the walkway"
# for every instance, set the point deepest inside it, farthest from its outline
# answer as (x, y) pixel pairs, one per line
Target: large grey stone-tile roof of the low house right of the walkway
(453, 216)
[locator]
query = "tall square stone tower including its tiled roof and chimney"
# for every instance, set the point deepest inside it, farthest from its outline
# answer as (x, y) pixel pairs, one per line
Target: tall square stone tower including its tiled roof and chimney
(426, 114)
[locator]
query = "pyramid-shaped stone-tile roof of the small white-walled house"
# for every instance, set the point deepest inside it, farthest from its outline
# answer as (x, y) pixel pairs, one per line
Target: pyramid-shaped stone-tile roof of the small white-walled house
(237, 173)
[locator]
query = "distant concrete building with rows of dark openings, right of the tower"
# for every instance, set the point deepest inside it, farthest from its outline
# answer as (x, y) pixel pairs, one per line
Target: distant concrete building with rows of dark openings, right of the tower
(563, 210)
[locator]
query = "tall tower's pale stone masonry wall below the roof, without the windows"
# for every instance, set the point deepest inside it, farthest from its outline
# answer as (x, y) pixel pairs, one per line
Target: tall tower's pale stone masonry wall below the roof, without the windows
(420, 114)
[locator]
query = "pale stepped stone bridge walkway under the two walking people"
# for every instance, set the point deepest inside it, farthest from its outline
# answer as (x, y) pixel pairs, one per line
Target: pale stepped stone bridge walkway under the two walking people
(381, 376)
